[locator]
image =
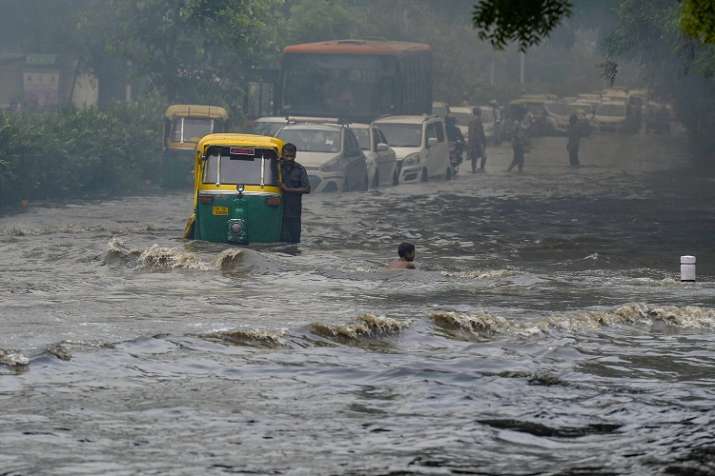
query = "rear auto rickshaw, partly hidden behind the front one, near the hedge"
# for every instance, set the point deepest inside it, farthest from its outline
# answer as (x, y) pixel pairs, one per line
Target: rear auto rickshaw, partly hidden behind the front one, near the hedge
(184, 126)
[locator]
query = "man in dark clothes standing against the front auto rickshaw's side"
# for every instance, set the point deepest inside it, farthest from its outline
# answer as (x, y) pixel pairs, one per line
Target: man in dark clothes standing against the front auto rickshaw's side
(294, 184)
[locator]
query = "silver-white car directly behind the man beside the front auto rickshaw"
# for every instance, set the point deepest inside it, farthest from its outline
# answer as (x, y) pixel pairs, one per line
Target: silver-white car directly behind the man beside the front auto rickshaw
(331, 155)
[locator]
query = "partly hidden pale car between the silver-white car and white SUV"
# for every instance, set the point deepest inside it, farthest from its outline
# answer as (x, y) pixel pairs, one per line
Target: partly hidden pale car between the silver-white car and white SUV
(381, 159)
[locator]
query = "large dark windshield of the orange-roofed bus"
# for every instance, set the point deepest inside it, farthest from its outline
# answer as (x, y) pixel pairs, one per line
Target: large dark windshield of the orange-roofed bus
(339, 85)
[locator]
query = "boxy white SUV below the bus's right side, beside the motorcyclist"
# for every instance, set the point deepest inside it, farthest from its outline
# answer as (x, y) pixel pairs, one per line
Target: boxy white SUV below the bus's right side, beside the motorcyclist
(420, 143)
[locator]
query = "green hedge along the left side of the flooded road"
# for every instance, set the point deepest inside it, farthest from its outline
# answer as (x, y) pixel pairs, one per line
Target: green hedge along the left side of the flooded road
(79, 153)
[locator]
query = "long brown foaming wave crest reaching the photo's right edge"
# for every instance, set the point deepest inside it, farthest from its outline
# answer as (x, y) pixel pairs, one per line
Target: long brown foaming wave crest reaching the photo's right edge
(485, 325)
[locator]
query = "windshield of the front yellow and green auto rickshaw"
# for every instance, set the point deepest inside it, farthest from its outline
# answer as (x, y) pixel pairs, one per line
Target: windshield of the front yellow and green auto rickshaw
(233, 170)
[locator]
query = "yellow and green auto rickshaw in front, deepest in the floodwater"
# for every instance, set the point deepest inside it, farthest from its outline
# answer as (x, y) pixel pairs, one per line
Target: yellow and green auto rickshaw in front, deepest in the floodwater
(237, 196)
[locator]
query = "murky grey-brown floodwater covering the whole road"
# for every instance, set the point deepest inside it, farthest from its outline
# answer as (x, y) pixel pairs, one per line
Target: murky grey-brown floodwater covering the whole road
(545, 331)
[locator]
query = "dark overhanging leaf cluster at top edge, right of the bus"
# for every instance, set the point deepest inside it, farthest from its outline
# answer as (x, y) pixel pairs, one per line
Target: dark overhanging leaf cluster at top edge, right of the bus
(525, 22)
